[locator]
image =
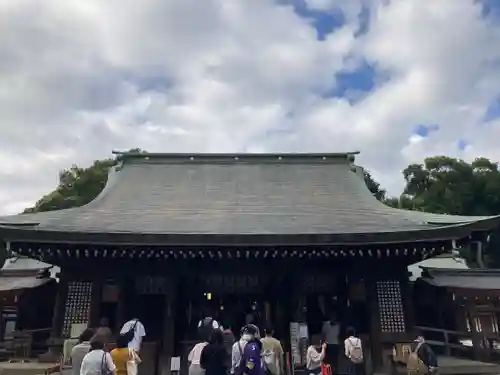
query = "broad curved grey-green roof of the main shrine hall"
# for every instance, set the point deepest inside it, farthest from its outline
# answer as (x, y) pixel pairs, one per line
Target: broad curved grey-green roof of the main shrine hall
(238, 194)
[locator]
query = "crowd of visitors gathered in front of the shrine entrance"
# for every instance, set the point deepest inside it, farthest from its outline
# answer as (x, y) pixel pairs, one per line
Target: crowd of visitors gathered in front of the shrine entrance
(219, 353)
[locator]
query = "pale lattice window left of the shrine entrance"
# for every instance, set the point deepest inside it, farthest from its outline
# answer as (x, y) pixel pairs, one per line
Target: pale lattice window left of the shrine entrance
(77, 305)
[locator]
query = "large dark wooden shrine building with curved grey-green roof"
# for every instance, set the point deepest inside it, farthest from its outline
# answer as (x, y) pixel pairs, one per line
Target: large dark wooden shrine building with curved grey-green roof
(280, 237)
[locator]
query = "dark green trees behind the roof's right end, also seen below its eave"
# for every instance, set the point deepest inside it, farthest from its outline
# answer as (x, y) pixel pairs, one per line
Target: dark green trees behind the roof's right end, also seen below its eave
(452, 186)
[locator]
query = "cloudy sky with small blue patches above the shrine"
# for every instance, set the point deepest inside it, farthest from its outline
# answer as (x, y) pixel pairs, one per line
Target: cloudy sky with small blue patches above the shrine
(397, 80)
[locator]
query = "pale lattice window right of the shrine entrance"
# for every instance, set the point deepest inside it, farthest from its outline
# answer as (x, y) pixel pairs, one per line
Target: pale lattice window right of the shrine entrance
(390, 304)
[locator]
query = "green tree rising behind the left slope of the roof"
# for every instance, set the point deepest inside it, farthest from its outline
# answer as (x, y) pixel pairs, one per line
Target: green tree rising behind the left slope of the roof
(77, 186)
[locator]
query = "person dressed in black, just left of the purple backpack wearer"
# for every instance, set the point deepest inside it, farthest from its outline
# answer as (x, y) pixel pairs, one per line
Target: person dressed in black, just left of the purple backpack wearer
(214, 358)
